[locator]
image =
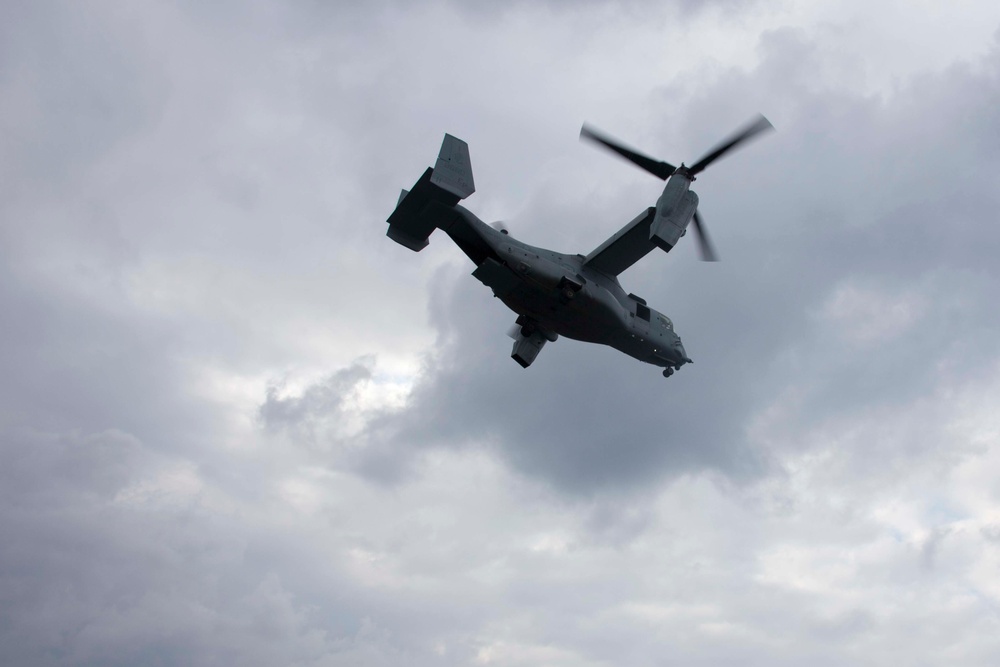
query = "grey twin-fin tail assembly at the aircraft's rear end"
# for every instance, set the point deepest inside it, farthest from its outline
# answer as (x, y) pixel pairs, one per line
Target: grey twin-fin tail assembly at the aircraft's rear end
(419, 211)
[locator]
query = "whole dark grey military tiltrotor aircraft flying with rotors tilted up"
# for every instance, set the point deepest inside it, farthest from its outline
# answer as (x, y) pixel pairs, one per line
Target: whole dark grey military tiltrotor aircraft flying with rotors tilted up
(556, 294)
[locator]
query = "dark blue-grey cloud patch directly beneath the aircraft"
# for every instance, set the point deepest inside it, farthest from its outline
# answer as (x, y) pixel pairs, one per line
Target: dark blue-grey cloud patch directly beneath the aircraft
(577, 418)
